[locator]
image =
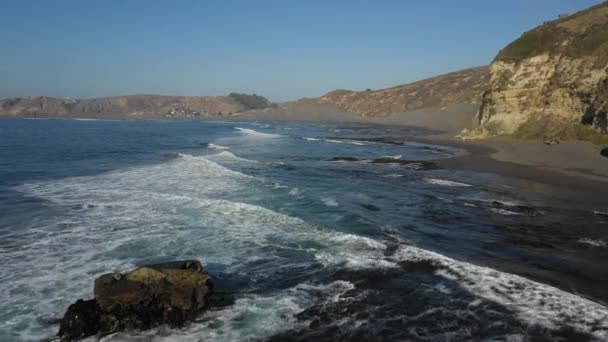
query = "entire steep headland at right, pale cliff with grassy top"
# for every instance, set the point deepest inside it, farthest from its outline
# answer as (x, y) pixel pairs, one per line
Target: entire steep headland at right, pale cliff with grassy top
(551, 83)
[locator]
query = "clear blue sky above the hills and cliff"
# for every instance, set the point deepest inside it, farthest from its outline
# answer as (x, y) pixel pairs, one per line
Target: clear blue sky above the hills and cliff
(281, 49)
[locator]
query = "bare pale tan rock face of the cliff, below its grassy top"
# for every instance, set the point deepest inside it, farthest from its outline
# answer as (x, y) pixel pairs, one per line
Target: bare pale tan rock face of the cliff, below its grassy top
(539, 97)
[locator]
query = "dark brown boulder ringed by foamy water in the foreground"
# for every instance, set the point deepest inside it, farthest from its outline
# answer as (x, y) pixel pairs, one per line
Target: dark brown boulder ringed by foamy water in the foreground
(169, 293)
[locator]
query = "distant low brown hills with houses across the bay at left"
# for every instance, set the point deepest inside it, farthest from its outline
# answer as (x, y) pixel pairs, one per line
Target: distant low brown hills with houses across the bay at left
(135, 106)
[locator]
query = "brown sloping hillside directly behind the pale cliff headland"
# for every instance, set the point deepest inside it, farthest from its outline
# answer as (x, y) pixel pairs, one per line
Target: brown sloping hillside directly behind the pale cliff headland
(465, 86)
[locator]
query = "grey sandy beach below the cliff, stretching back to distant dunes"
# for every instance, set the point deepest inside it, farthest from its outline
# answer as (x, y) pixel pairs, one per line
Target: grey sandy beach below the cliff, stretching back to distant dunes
(576, 169)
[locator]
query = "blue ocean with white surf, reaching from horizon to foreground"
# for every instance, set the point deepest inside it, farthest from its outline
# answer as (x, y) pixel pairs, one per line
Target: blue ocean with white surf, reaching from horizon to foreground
(317, 231)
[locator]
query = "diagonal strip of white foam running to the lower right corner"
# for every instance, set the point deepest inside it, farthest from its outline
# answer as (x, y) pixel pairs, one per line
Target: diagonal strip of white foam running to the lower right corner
(534, 303)
